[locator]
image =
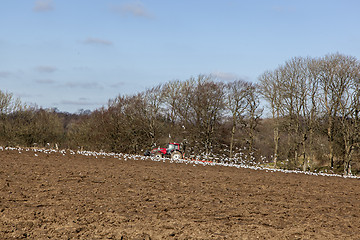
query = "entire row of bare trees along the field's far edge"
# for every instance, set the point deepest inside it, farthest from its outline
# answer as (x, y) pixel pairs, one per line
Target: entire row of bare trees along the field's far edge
(312, 103)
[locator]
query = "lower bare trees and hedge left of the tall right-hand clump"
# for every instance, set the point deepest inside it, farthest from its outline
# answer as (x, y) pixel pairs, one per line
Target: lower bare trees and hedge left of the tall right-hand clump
(206, 115)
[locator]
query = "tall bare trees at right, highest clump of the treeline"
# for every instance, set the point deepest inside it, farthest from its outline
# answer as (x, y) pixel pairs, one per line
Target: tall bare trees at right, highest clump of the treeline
(315, 106)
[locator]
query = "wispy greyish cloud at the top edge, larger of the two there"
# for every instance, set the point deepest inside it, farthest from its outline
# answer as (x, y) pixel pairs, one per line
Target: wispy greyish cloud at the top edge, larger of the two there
(134, 8)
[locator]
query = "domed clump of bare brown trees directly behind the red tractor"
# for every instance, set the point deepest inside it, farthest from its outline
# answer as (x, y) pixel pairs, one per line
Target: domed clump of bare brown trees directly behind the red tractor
(199, 112)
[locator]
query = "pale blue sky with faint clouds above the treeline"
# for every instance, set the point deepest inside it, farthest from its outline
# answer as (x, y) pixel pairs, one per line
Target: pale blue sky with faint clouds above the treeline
(78, 54)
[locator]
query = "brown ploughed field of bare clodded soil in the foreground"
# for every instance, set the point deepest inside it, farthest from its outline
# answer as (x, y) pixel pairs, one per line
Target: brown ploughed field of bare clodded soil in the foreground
(64, 195)
